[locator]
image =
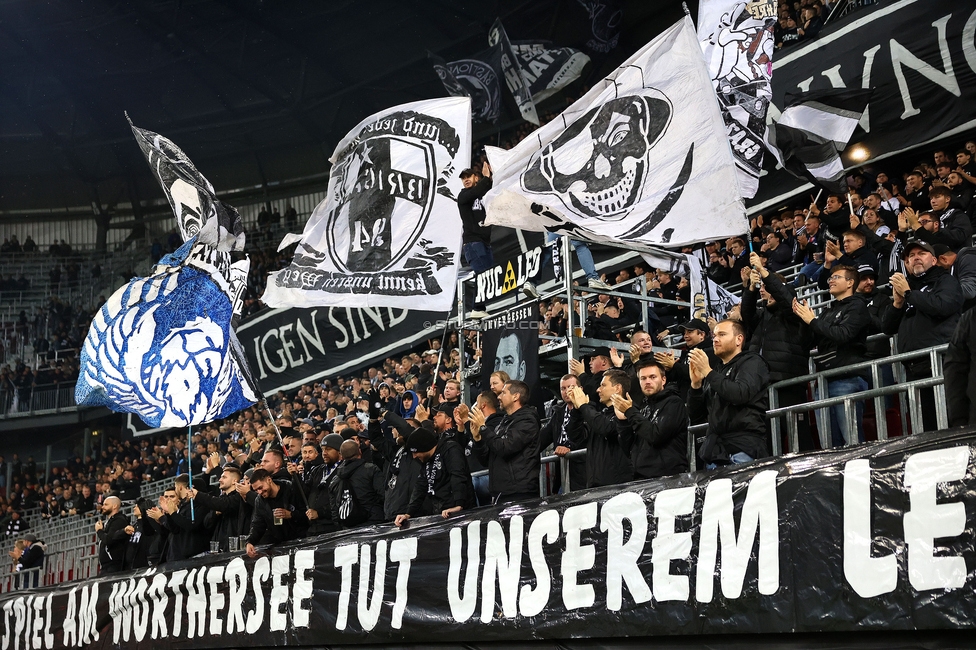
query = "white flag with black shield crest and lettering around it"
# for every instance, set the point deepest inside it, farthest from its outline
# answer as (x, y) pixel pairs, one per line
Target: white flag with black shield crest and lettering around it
(388, 231)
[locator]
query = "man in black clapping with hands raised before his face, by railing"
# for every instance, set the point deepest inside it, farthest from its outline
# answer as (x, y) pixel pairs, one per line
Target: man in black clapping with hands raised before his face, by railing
(780, 337)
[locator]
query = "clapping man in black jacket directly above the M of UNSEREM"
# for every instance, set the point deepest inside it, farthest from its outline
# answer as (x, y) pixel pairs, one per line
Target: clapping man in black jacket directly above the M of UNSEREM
(734, 395)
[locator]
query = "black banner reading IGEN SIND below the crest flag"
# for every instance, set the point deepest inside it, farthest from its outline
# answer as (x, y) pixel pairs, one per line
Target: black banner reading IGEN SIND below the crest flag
(290, 347)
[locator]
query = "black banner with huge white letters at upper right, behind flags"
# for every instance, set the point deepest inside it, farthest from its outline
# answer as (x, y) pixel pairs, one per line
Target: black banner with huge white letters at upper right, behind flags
(919, 58)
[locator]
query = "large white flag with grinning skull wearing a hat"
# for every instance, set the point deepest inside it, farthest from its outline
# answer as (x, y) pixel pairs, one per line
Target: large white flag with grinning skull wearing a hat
(642, 159)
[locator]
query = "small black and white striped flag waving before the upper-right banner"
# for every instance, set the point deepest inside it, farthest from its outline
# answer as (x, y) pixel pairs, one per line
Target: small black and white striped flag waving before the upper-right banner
(813, 131)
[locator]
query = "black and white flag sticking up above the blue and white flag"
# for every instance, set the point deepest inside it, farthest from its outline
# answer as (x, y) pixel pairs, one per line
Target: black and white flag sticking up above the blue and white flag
(199, 213)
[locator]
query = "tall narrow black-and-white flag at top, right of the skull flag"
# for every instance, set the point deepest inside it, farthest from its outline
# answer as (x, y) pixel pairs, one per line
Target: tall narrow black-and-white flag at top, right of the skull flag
(737, 39)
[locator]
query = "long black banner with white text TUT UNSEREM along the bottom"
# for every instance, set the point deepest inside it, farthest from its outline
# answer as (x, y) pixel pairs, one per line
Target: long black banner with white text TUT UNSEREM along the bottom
(876, 537)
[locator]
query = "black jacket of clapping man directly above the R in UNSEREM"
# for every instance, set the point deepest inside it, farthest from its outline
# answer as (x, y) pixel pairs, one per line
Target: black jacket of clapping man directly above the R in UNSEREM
(607, 453)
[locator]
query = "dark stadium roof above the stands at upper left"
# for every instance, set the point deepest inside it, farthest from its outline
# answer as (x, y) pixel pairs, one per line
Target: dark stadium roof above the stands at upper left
(257, 93)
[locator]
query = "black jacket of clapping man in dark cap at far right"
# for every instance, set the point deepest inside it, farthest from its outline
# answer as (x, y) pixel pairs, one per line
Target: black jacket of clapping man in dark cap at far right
(929, 314)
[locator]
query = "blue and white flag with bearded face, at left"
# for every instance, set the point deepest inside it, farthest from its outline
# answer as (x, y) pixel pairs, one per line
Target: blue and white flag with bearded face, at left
(162, 346)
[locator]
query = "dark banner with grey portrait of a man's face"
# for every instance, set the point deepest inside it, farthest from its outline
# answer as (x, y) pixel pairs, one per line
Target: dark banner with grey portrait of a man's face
(510, 343)
